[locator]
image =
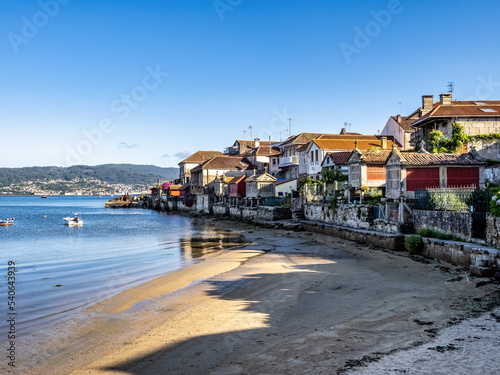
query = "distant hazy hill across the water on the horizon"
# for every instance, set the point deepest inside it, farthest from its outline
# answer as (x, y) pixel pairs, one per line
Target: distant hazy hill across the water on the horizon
(129, 174)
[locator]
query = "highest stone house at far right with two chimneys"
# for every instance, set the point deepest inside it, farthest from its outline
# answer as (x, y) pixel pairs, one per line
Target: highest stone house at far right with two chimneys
(476, 116)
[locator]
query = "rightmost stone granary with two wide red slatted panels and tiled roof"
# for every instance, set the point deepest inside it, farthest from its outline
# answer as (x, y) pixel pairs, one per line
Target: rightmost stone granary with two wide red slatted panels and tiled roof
(407, 172)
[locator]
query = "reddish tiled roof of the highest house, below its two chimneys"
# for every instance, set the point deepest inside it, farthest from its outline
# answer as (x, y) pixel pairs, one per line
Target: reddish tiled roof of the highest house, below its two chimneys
(462, 109)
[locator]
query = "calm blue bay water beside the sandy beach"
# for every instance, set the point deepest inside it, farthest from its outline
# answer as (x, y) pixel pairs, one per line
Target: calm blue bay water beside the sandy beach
(62, 269)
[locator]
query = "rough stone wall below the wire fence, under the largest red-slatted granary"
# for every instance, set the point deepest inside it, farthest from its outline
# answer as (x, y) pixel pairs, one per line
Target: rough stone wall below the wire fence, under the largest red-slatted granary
(456, 223)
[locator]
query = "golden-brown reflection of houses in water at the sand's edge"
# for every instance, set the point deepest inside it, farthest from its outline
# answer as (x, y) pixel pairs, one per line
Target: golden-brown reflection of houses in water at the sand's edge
(206, 243)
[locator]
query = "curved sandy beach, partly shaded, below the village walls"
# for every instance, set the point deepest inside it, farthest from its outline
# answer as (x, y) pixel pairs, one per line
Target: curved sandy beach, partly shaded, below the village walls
(289, 303)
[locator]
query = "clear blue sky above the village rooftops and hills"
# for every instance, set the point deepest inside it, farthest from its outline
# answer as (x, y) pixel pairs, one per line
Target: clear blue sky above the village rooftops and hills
(149, 82)
